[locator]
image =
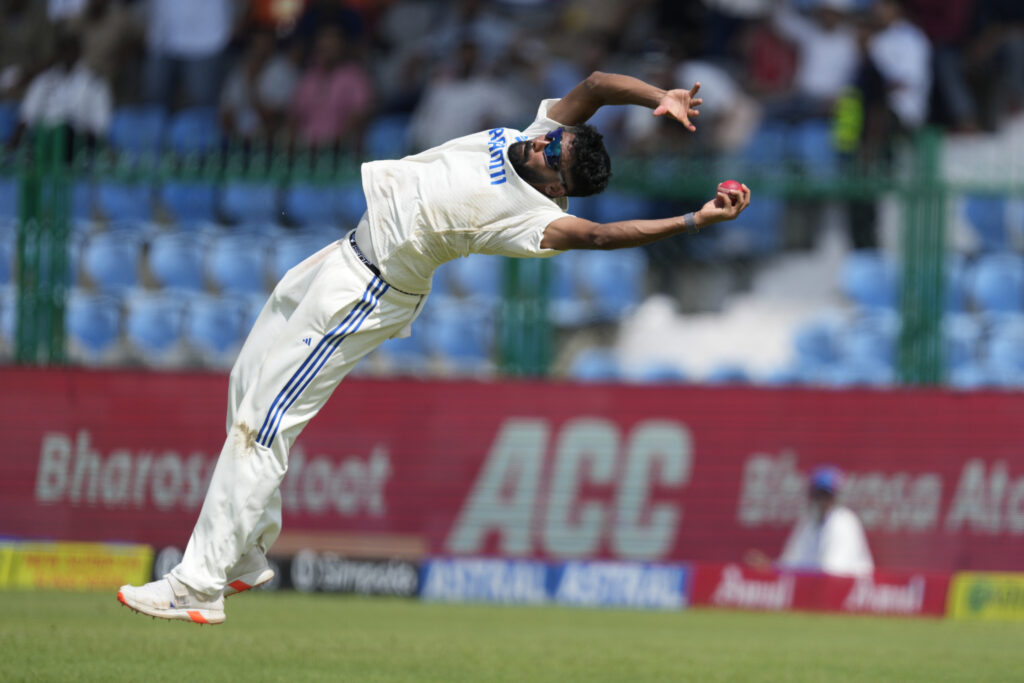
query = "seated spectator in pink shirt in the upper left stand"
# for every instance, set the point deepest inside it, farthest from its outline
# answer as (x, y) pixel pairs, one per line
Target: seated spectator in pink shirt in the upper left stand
(334, 97)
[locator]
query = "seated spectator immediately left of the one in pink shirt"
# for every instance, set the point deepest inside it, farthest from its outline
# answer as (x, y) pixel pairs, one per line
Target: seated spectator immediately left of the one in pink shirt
(254, 103)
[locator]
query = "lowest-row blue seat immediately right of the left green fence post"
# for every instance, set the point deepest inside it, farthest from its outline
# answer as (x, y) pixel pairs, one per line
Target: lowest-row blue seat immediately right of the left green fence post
(94, 327)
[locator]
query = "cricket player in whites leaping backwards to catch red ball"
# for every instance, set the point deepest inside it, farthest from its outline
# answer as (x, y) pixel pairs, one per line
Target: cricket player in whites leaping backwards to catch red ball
(497, 192)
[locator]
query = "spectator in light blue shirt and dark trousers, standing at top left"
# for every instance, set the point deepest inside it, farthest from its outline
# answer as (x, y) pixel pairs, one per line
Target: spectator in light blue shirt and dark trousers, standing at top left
(187, 41)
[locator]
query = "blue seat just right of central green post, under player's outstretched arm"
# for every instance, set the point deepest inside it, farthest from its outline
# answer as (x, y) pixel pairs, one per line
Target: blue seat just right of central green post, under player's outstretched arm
(615, 281)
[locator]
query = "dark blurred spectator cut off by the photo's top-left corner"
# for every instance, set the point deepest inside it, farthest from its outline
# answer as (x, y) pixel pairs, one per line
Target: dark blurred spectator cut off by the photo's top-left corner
(26, 46)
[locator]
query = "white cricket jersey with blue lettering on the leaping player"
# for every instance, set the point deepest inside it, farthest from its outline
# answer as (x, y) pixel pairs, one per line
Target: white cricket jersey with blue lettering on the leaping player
(458, 199)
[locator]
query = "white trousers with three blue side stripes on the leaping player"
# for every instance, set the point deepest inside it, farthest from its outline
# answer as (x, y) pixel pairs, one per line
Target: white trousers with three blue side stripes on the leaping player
(326, 315)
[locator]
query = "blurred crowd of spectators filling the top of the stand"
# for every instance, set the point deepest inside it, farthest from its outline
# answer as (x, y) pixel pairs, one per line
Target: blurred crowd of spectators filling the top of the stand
(318, 71)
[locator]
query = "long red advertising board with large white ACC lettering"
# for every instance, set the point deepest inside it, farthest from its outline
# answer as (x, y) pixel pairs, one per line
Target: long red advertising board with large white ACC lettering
(543, 472)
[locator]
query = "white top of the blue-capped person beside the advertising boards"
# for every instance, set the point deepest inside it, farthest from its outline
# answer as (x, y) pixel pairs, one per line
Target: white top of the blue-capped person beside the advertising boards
(836, 546)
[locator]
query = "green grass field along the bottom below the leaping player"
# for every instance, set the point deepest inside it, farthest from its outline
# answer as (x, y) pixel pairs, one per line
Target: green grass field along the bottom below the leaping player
(294, 637)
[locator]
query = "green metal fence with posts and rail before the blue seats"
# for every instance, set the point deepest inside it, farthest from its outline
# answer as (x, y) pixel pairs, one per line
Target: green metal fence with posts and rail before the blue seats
(49, 165)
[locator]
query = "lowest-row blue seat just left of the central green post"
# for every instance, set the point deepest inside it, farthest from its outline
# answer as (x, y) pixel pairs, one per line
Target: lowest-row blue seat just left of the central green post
(462, 333)
